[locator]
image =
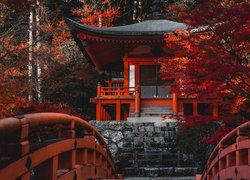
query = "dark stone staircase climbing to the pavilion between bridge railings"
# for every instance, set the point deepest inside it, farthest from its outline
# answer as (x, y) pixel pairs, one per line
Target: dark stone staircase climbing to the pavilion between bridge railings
(152, 152)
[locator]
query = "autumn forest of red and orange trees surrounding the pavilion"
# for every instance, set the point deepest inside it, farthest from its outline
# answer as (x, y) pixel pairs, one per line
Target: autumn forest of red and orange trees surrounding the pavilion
(42, 69)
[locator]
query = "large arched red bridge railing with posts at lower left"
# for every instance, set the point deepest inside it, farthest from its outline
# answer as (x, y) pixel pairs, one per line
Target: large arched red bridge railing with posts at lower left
(53, 146)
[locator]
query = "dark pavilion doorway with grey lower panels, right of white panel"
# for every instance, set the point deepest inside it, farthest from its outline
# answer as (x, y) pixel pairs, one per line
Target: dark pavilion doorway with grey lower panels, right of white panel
(151, 83)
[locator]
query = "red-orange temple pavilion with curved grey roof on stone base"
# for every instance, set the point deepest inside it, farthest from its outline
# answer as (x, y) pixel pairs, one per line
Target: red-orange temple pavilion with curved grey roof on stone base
(135, 89)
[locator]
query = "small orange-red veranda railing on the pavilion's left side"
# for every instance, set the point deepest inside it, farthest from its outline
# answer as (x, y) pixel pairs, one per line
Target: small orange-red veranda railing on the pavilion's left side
(117, 91)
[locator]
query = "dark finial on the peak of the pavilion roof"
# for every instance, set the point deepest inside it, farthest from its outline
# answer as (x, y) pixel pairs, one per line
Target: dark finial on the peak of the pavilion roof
(156, 10)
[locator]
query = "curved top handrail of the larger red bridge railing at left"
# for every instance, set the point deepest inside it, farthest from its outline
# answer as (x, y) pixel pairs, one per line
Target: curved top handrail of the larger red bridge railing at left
(21, 125)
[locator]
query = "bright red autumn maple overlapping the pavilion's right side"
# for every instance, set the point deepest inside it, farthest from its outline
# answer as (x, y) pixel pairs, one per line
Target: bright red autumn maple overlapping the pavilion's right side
(211, 60)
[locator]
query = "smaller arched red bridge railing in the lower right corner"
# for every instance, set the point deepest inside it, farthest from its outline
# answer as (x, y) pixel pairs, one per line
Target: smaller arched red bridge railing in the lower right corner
(231, 157)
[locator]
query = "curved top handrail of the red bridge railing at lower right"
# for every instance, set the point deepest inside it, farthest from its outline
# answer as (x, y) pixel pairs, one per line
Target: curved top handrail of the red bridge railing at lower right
(232, 139)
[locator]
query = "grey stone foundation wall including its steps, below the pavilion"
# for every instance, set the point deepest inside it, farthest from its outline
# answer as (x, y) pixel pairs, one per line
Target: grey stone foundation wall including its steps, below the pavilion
(145, 149)
